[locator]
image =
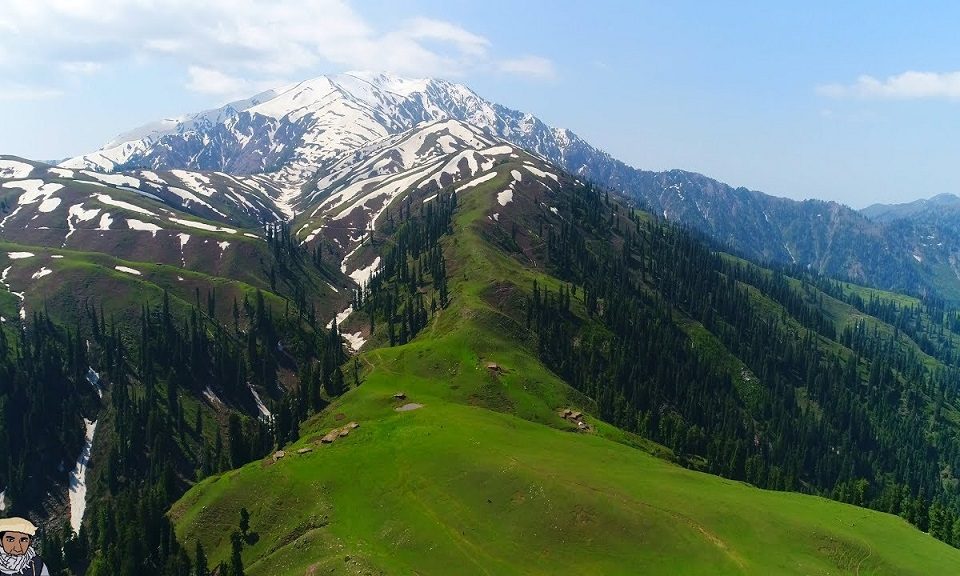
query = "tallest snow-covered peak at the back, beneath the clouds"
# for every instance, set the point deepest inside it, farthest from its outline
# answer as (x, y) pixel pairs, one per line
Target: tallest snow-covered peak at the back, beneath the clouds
(291, 131)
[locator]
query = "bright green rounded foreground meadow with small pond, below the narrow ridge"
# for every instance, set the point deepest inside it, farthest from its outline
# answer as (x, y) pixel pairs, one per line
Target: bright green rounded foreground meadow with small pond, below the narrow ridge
(452, 488)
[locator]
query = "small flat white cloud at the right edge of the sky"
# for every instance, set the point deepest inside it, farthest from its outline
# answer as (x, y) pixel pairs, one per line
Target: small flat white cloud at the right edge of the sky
(909, 85)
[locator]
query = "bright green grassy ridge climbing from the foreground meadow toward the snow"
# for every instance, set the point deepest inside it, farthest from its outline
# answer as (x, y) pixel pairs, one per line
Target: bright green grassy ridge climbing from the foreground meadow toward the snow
(486, 478)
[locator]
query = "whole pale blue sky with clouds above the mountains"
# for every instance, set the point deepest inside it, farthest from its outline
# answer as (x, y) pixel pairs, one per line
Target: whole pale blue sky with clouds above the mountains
(854, 101)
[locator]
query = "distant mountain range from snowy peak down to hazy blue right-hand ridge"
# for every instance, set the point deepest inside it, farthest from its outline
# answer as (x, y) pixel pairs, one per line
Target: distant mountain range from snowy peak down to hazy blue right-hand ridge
(291, 134)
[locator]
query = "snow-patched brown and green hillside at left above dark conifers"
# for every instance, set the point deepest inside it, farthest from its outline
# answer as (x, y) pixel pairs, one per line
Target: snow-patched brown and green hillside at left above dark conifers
(88, 228)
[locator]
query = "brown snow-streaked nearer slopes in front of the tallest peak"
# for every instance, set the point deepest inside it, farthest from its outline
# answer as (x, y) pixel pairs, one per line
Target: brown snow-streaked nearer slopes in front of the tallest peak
(180, 221)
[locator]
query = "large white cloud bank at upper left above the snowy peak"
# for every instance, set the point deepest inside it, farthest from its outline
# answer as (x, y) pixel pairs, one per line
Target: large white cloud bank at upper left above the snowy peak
(228, 46)
